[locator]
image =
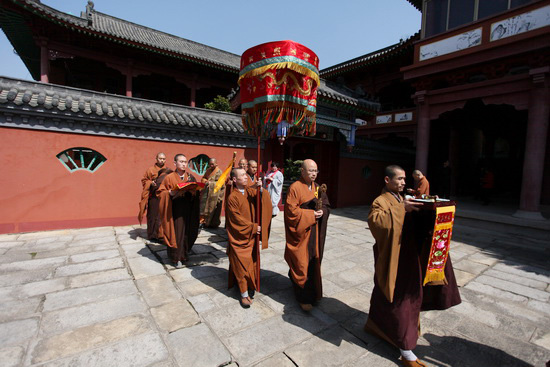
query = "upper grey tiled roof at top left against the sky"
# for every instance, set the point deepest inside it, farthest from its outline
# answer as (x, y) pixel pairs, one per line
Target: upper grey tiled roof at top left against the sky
(111, 27)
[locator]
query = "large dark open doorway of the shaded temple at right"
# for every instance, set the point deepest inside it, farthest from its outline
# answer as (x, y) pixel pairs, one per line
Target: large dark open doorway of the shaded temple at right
(479, 141)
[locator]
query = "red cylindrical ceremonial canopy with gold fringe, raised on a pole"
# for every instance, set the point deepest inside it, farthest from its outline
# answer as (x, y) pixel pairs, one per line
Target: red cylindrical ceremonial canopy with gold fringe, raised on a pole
(278, 82)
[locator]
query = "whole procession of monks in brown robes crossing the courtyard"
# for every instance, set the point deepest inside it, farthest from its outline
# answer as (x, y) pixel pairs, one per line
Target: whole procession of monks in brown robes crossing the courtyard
(176, 211)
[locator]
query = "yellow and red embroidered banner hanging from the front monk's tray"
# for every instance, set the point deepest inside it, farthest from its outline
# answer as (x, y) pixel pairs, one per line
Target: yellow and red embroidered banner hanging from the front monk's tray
(440, 245)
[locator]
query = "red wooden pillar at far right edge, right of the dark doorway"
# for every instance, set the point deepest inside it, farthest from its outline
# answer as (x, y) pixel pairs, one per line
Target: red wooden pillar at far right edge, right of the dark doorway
(535, 145)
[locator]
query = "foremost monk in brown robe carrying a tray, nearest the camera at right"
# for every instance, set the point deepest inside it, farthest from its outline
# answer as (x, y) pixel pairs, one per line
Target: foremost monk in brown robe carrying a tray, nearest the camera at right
(398, 295)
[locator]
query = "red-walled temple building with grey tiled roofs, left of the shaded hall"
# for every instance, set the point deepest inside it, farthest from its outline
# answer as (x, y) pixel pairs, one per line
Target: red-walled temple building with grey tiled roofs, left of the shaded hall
(110, 94)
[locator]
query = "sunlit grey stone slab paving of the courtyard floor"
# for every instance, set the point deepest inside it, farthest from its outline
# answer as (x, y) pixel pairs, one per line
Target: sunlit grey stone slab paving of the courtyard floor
(107, 297)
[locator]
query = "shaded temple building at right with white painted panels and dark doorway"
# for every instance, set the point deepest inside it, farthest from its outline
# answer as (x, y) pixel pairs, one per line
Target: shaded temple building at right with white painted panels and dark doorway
(471, 89)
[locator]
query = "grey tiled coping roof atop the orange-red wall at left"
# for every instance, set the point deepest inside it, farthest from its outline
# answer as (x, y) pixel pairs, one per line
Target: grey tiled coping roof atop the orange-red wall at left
(67, 102)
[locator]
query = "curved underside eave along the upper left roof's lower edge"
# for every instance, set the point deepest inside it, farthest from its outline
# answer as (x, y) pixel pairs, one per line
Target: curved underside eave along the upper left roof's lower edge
(82, 29)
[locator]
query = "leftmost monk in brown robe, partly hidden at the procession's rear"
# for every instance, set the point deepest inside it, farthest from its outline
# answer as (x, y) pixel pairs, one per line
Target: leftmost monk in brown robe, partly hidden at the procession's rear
(148, 183)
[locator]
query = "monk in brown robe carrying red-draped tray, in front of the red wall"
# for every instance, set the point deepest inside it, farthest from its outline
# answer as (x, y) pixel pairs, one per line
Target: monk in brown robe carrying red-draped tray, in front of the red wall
(179, 212)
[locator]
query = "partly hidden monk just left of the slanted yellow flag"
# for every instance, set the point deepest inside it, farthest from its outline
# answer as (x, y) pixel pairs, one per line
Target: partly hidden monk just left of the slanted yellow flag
(211, 202)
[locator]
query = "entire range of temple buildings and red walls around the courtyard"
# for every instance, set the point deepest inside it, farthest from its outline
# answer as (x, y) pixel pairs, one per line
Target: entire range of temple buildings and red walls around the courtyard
(470, 88)
